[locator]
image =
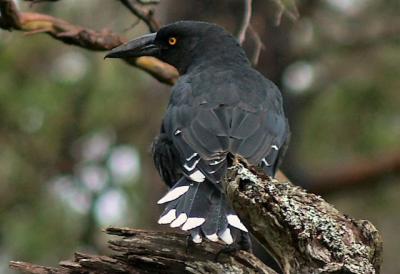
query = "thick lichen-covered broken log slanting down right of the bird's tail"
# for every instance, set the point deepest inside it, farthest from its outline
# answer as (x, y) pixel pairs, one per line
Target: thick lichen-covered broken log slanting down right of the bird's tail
(304, 233)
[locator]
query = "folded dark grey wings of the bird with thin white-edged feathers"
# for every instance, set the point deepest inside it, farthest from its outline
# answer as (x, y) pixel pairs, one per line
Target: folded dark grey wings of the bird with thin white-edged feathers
(204, 131)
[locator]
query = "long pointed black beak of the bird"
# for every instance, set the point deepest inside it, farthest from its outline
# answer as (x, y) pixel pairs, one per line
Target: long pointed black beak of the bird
(142, 46)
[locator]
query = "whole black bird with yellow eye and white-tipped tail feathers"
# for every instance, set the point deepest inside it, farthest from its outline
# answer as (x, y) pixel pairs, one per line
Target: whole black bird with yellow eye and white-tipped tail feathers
(220, 108)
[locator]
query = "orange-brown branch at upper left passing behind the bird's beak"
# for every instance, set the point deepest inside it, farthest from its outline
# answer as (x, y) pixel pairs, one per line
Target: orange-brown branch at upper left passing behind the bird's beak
(32, 23)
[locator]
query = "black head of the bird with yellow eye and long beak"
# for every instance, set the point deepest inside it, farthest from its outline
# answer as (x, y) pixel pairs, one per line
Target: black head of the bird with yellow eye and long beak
(182, 44)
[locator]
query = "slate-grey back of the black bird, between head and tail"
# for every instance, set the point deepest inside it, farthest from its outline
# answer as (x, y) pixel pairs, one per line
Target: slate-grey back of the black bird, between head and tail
(228, 110)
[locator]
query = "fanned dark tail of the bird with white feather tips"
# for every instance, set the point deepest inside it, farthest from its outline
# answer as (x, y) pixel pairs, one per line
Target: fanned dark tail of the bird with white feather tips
(201, 208)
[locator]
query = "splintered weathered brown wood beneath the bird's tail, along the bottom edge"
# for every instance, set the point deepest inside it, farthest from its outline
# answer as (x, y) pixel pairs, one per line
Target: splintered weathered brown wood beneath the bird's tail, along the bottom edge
(138, 251)
